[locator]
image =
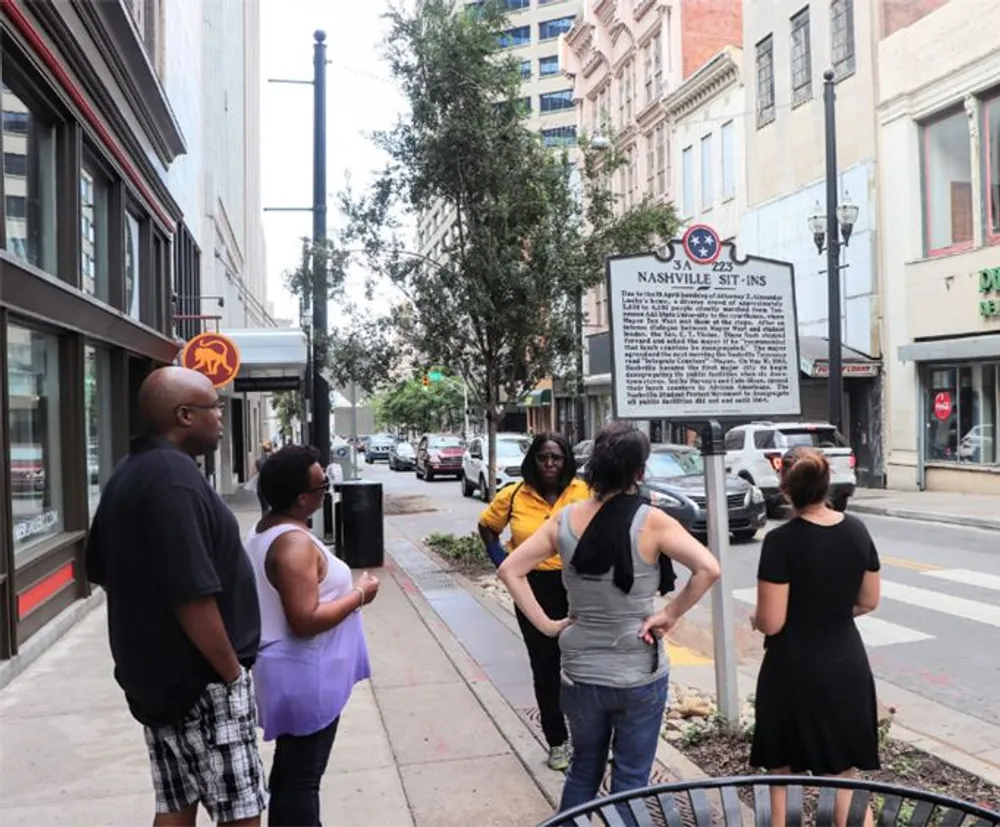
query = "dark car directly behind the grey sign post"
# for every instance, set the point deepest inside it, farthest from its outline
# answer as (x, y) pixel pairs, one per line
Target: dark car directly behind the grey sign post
(675, 482)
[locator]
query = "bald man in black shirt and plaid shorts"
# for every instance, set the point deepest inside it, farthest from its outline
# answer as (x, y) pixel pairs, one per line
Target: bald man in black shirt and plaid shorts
(183, 616)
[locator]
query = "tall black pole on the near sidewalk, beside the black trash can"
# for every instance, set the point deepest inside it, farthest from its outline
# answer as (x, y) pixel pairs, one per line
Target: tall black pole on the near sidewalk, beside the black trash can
(320, 389)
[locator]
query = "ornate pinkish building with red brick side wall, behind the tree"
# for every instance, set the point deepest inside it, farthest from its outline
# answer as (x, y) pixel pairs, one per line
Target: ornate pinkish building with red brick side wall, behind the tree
(627, 59)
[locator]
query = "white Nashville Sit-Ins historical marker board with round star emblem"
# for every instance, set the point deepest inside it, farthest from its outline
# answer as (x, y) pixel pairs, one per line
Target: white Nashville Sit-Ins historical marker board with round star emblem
(701, 334)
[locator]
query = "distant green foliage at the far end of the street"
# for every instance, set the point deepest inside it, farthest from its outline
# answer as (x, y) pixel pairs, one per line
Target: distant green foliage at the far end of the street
(413, 408)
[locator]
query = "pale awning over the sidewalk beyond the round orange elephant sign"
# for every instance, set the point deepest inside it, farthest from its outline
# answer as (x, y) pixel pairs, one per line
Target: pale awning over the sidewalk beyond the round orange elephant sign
(271, 358)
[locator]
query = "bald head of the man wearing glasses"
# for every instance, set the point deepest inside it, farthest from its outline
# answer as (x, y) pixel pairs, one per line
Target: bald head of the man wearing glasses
(181, 405)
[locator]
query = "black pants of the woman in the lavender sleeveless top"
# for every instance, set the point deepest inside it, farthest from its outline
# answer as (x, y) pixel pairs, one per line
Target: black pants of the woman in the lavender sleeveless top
(298, 767)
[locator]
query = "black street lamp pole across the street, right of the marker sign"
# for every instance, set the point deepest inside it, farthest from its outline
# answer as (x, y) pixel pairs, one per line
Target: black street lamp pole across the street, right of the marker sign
(836, 379)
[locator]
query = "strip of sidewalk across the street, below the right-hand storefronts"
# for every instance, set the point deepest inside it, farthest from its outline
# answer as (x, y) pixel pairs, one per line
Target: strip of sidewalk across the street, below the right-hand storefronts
(969, 510)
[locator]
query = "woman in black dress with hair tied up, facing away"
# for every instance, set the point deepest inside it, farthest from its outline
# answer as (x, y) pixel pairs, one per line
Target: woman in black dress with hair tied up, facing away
(815, 702)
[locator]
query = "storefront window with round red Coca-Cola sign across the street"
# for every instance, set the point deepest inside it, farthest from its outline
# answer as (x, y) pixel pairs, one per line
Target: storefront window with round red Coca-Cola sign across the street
(962, 412)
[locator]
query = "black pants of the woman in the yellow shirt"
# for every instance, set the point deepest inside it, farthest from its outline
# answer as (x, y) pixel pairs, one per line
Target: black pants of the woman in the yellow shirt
(543, 652)
